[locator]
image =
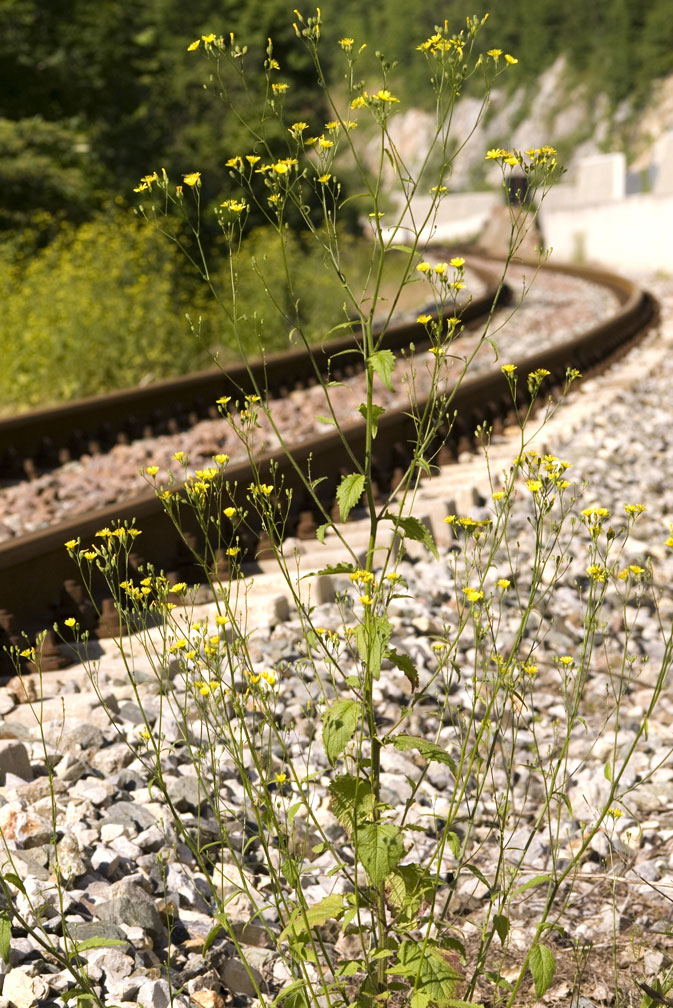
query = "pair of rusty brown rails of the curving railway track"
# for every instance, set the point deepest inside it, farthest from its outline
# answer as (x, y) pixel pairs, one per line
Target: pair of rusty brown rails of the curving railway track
(40, 583)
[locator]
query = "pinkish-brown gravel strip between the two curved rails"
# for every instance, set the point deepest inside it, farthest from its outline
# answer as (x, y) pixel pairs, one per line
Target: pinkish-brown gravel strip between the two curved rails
(557, 307)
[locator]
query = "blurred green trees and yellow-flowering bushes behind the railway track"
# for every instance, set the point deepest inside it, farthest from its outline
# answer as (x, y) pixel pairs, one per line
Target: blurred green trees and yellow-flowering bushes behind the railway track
(94, 96)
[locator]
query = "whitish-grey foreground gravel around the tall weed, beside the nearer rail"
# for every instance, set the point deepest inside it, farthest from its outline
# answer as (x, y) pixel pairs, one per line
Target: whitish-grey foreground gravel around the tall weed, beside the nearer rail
(130, 878)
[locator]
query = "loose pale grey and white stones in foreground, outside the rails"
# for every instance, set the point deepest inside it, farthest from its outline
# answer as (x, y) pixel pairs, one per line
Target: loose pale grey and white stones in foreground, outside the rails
(112, 830)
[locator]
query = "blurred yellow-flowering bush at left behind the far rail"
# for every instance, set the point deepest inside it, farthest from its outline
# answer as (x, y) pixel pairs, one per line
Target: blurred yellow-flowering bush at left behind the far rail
(94, 311)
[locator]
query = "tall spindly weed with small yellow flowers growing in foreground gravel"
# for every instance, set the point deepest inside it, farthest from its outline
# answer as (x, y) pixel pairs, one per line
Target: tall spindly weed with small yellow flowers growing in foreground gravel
(394, 822)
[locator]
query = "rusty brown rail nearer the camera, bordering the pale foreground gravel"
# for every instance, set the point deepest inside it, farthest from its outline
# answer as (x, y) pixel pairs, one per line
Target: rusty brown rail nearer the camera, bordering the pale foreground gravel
(39, 582)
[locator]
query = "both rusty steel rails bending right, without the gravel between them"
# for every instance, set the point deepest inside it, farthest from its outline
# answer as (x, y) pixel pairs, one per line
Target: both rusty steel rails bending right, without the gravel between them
(39, 582)
